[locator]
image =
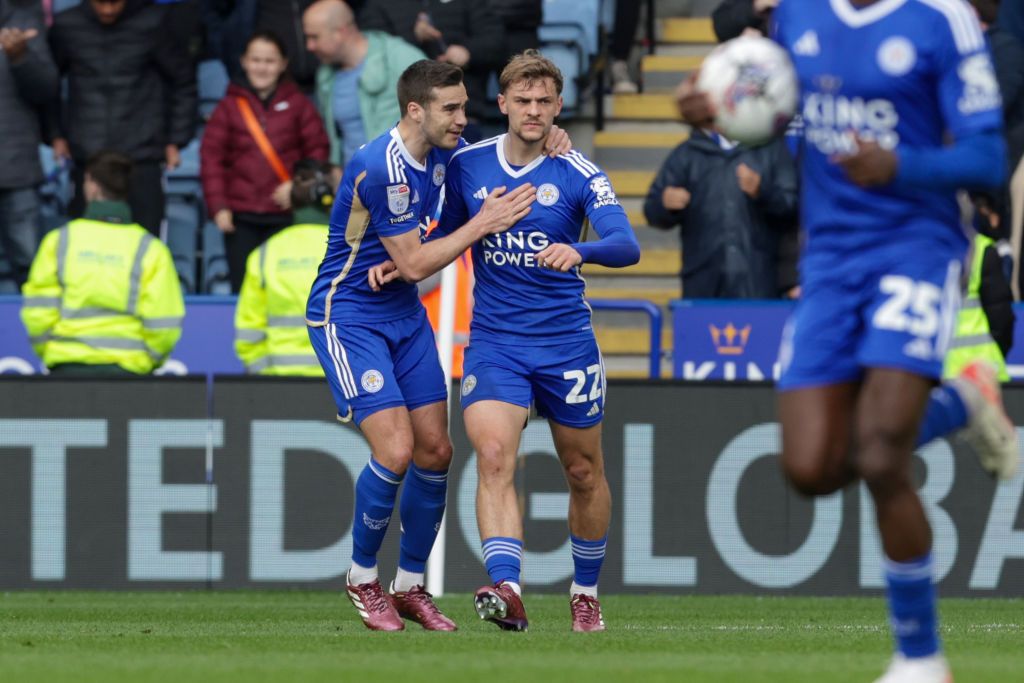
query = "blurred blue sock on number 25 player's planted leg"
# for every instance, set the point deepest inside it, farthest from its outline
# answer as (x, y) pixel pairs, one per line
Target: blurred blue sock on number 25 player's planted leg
(912, 607)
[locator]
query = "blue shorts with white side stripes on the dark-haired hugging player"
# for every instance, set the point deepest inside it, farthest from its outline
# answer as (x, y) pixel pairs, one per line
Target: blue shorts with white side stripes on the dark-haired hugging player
(375, 366)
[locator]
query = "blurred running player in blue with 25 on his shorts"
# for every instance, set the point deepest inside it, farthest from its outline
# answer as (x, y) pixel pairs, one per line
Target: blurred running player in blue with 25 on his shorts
(881, 272)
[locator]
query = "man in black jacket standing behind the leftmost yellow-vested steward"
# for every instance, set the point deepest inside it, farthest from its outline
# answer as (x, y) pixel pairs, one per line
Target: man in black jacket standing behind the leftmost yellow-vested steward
(132, 90)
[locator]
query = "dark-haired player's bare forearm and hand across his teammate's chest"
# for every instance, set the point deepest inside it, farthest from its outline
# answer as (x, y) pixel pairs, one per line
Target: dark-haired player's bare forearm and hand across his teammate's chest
(416, 261)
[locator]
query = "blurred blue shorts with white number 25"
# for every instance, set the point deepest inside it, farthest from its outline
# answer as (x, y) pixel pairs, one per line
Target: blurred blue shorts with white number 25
(901, 315)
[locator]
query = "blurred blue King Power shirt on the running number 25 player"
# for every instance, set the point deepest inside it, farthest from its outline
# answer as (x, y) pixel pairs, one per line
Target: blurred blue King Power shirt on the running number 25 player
(906, 74)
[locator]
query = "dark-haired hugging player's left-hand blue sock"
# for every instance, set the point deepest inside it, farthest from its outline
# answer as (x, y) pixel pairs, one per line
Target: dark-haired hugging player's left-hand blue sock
(375, 494)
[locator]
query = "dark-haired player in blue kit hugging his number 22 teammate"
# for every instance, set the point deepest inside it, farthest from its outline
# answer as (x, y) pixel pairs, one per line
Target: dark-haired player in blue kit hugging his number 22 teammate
(377, 349)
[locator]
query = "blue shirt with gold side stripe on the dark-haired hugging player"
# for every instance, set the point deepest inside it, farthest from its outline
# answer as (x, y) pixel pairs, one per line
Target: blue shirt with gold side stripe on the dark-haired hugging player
(385, 193)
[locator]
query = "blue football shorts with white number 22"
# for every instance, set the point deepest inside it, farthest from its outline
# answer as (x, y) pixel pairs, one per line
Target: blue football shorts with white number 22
(566, 382)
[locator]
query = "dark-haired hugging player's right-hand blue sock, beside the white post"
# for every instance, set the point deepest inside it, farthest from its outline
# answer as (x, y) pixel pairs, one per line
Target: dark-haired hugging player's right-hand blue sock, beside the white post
(421, 510)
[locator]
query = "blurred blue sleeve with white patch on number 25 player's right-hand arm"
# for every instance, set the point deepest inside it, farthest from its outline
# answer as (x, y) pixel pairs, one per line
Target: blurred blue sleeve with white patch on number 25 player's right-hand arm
(969, 92)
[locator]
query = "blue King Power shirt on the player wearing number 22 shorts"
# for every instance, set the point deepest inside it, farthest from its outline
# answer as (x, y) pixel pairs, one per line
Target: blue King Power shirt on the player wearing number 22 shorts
(515, 300)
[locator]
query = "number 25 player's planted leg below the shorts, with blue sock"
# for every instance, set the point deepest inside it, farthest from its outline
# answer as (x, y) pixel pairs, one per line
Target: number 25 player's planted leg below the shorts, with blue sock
(889, 412)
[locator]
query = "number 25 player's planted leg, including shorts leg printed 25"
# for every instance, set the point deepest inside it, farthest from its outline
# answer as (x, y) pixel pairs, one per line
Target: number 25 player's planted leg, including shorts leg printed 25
(908, 324)
